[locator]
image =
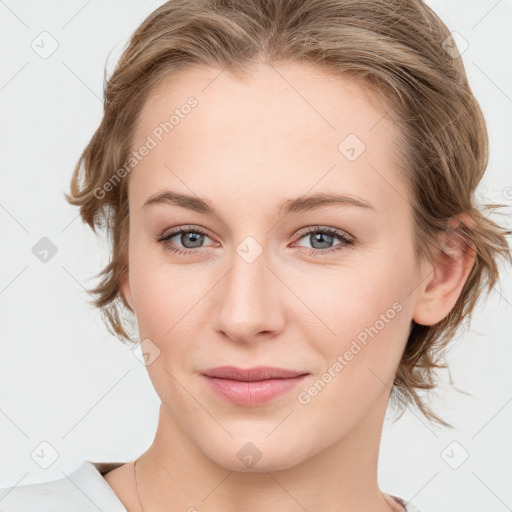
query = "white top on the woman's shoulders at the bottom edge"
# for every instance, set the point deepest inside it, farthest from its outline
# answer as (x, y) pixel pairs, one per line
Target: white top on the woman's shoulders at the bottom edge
(84, 490)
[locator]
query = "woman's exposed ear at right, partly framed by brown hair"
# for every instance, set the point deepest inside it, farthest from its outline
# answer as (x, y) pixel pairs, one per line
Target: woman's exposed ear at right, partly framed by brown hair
(453, 263)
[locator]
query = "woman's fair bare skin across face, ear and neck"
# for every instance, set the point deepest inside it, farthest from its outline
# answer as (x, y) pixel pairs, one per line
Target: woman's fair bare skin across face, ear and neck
(247, 146)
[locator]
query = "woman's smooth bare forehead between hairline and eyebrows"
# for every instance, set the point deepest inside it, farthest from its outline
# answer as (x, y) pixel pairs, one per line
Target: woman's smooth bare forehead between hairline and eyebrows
(291, 126)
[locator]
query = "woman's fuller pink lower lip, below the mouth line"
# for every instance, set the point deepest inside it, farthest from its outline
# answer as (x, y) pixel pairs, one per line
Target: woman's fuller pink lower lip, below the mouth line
(252, 393)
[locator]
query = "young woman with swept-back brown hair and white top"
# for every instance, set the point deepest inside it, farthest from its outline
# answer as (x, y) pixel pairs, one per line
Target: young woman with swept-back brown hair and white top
(289, 189)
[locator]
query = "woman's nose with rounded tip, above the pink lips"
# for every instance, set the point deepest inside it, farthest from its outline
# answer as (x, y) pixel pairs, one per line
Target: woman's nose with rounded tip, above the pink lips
(248, 301)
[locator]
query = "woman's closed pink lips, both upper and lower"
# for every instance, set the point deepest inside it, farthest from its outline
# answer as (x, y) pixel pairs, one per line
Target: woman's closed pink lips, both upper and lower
(251, 386)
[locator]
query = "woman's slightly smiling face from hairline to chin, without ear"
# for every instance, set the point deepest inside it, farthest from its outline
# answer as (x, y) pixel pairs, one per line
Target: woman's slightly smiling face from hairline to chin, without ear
(251, 271)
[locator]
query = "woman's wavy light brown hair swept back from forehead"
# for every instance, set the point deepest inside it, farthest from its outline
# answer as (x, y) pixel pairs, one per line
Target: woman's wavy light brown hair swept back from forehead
(396, 47)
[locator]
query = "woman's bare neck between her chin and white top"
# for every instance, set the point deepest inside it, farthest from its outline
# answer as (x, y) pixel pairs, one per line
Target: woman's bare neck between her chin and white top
(174, 475)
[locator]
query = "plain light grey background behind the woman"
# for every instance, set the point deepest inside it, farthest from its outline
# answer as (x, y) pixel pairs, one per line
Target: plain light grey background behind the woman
(66, 383)
